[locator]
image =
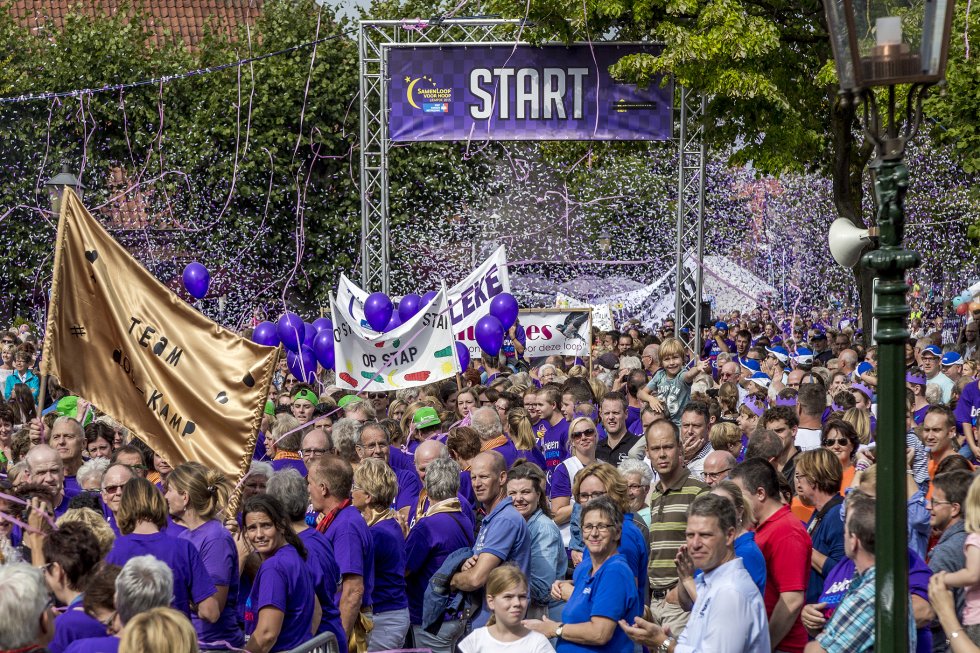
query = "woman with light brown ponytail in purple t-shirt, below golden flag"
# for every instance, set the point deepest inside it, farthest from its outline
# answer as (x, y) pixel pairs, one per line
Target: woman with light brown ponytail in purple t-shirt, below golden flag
(196, 496)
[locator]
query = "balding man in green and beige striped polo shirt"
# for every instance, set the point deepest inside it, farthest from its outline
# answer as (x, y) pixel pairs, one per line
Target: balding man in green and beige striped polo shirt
(669, 503)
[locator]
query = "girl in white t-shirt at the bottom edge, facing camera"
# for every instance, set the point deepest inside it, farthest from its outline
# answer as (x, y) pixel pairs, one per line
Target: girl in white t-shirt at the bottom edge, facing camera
(507, 592)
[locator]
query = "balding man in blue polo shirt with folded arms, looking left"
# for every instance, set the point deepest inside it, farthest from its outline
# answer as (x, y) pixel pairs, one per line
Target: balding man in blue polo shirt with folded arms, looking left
(503, 535)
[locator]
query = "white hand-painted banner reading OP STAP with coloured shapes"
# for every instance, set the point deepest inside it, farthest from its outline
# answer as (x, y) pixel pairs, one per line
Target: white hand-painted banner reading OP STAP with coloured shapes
(418, 352)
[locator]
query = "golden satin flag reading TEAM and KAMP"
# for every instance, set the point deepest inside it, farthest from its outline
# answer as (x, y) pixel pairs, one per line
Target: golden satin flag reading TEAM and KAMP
(186, 386)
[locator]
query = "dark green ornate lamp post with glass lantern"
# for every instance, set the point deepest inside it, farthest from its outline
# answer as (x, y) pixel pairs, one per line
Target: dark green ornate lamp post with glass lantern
(878, 43)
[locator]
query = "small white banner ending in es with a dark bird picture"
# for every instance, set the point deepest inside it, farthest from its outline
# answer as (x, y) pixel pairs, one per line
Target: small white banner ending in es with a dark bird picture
(556, 331)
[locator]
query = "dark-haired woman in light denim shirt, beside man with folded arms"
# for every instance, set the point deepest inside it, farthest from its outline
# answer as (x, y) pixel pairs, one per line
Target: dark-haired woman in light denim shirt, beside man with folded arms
(549, 562)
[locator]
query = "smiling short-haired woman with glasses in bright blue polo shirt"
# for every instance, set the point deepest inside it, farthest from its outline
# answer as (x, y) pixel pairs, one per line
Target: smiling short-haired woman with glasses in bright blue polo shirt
(601, 593)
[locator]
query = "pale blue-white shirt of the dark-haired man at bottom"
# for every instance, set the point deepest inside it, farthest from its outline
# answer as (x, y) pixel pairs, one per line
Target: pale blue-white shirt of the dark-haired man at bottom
(729, 615)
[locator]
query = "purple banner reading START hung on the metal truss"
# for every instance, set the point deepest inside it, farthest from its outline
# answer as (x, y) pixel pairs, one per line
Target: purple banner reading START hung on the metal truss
(522, 93)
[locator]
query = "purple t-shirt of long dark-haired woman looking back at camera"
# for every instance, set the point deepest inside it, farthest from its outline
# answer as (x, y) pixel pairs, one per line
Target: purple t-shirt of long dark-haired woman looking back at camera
(283, 583)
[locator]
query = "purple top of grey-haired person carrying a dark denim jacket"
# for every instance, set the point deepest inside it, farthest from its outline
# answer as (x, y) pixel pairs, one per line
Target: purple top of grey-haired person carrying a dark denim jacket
(429, 543)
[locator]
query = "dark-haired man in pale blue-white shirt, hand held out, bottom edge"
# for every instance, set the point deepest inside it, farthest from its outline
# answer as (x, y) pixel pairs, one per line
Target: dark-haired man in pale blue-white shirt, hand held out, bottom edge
(729, 615)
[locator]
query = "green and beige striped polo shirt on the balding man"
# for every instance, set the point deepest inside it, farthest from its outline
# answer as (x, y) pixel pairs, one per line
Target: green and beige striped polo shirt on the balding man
(668, 524)
